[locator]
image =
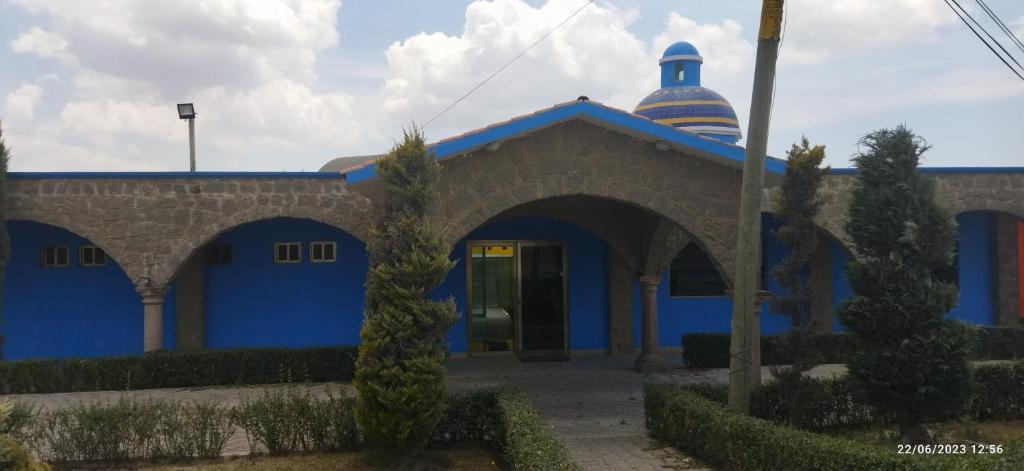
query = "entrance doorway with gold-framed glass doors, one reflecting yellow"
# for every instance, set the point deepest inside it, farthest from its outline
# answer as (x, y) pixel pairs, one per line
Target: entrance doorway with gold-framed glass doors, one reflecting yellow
(518, 292)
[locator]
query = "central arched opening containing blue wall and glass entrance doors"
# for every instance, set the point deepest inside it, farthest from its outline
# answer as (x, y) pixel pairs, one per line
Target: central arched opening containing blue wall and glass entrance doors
(529, 284)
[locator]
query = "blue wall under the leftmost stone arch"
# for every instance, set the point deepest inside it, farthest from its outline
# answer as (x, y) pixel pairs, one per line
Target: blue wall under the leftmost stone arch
(69, 312)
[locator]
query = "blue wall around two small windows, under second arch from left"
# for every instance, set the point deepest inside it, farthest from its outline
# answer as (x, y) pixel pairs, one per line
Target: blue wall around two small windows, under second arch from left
(257, 303)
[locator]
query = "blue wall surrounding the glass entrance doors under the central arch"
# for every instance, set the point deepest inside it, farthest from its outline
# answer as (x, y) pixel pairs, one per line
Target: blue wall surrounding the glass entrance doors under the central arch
(588, 262)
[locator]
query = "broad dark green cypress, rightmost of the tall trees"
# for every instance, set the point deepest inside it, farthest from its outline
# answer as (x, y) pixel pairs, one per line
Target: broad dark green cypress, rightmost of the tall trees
(914, 365)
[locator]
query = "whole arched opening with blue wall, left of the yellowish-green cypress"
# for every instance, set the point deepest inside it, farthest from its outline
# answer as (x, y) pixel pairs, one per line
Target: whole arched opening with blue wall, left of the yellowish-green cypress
(278, 282)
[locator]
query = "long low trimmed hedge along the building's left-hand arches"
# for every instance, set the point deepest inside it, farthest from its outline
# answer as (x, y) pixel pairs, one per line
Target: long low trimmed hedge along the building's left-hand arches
(180, 369)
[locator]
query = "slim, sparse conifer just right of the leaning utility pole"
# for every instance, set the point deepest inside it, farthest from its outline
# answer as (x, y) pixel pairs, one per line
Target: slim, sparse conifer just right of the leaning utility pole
(798, 204)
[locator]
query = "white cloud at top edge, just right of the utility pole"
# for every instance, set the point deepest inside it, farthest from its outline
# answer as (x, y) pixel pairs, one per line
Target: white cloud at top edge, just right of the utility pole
(818, 30)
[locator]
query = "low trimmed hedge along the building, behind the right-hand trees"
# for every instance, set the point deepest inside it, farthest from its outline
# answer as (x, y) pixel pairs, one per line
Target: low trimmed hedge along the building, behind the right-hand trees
(712, 350)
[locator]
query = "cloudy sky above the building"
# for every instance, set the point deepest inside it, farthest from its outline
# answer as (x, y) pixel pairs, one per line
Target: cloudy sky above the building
(288, 85)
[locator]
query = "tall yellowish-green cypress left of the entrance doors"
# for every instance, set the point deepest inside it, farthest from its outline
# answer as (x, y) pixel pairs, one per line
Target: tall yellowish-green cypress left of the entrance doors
(401, 373)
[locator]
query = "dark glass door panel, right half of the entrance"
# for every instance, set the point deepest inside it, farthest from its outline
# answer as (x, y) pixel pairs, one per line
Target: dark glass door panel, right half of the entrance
(542, 278)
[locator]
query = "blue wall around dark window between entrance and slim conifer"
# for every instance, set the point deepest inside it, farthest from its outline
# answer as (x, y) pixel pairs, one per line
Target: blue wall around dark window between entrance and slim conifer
(678, 316)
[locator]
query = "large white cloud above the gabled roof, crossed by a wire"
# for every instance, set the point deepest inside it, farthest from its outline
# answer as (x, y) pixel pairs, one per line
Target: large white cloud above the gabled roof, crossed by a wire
(593, 55)
